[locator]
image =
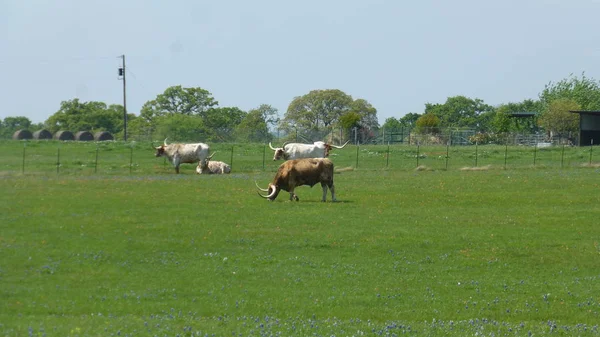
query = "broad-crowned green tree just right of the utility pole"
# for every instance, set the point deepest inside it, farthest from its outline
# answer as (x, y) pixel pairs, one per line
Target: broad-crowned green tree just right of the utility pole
(178, 100)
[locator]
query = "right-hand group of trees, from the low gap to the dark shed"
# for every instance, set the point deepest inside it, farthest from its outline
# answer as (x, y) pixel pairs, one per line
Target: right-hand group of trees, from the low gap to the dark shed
(551, 112)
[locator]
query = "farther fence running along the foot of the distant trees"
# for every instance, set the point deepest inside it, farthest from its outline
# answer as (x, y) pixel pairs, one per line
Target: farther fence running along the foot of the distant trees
(335, 135)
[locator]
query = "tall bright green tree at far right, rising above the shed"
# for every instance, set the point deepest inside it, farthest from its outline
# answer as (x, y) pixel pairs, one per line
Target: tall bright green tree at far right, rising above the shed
(582, 90)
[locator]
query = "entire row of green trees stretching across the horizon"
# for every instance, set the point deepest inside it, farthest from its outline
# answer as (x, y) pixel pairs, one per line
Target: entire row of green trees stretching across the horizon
(194, 114)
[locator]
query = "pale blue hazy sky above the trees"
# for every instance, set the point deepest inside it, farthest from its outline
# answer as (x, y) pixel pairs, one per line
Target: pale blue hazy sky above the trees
(397, 55)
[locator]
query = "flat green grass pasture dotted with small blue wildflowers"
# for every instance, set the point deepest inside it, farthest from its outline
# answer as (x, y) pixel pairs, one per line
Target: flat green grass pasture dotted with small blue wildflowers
(496, 252)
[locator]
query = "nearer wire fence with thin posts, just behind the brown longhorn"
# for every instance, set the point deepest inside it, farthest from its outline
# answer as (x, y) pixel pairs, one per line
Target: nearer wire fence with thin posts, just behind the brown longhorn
(121, 158)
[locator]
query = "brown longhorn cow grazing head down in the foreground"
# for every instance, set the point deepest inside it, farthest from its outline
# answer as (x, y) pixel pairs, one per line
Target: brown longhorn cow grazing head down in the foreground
(299, 172)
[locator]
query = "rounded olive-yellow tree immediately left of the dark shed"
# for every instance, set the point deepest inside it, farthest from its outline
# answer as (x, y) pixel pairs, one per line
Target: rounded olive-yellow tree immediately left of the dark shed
(557, 118)
